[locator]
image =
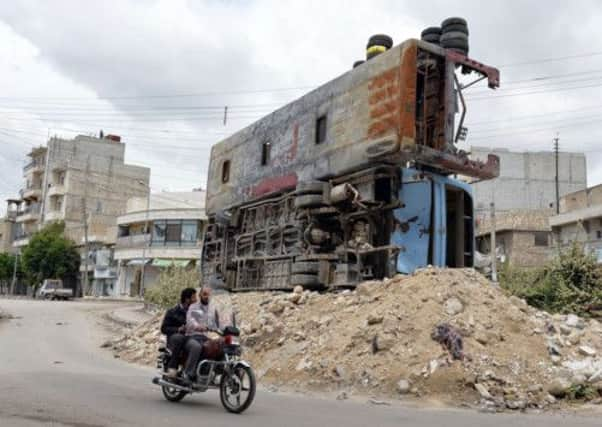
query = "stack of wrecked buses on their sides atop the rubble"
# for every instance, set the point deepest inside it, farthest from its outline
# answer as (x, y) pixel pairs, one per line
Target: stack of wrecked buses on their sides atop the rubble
(352, 181)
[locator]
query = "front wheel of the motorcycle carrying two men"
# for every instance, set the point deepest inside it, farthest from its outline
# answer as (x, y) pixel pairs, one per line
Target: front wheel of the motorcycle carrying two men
(237, 389)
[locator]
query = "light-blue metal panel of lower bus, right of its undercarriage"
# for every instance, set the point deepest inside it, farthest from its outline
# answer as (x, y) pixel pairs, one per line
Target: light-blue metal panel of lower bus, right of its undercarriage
(414, 221)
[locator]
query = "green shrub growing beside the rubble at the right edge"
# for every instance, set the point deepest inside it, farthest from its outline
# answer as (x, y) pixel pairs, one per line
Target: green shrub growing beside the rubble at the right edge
(571, 283)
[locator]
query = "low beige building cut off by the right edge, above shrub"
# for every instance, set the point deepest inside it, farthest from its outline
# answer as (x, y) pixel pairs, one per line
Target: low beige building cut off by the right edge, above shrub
(580, 221)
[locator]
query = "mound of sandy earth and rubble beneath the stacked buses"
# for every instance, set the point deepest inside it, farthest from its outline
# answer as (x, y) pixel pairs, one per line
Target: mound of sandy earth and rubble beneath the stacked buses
(376, 340)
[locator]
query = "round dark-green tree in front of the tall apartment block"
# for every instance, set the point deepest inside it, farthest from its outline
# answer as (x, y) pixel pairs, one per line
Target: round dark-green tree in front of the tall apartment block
(49, 255)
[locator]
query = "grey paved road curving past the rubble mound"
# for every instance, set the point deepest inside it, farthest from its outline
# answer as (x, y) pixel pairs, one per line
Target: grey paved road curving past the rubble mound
(52, 373)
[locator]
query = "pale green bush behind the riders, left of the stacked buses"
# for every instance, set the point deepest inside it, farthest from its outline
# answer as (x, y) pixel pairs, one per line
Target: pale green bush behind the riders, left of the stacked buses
(166, 292)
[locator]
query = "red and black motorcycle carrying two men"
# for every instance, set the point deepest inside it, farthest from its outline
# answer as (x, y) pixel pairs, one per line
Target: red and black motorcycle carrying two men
(220, 368)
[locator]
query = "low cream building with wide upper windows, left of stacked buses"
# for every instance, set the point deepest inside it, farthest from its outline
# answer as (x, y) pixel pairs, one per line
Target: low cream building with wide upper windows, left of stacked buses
(155, 233)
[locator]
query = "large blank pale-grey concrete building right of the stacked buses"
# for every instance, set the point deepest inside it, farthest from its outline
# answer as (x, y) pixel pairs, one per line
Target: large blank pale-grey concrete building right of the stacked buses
(527, 180)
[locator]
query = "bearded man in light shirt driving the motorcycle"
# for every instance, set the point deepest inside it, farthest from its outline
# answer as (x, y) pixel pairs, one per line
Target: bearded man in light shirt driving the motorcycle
(200, 319)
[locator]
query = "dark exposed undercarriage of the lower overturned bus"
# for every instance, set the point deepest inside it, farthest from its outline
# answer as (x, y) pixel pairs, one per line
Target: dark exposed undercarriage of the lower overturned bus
(320, 234)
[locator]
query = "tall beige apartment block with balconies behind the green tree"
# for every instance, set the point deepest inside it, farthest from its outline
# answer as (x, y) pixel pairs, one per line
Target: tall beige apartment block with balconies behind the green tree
(83, 182)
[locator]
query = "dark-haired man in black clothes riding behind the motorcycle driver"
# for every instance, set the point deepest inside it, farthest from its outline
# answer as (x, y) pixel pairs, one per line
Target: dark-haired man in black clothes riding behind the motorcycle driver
(174, 328)
